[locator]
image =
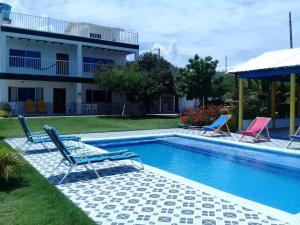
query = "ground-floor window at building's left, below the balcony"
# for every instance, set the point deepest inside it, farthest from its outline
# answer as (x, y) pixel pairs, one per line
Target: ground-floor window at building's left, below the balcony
(22, 94)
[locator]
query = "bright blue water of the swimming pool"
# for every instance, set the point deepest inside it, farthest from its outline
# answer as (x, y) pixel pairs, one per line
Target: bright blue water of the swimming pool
(268, 178)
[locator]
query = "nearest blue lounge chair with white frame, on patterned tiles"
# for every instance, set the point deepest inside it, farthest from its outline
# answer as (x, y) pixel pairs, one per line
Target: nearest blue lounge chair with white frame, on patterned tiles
(76, 156)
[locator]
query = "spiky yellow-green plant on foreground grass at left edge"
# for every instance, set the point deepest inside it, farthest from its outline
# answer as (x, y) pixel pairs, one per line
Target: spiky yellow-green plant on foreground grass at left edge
(10, 164)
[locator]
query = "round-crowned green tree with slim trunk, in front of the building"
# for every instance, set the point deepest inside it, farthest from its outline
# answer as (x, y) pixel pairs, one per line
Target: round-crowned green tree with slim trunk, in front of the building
(127, 81)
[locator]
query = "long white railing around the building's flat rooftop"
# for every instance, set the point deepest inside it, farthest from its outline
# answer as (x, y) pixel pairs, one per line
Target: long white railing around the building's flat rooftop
(69, 28)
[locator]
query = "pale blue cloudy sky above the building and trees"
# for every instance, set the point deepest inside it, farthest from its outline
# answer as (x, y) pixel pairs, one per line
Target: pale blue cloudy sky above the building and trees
(240, 29)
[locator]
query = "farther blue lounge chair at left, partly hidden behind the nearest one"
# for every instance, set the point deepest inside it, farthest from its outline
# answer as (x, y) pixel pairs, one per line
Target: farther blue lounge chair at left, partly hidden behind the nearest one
(39, 137)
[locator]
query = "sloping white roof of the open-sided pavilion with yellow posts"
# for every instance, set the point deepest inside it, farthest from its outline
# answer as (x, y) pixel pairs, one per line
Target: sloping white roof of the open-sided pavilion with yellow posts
(272, 60)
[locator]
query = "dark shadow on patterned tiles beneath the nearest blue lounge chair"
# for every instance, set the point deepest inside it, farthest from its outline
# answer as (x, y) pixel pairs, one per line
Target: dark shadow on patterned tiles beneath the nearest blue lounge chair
(90, 174)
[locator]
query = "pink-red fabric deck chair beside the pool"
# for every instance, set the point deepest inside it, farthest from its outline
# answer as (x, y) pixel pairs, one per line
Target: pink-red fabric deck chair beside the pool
(256, 128)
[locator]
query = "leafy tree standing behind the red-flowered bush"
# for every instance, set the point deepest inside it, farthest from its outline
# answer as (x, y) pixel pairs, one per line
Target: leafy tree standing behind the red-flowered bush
(195, 79)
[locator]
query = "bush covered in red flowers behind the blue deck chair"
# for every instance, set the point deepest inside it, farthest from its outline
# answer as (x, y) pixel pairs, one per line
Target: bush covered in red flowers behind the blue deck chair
(206, 115)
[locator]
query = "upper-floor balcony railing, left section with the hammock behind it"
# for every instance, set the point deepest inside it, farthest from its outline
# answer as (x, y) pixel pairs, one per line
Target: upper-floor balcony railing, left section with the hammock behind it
(17, 64)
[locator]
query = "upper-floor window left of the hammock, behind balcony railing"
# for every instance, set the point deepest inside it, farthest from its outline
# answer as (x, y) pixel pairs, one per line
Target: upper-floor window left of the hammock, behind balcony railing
(24, 58)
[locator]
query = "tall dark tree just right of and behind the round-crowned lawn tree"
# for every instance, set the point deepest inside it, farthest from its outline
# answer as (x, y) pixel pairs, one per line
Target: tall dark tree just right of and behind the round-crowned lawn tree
(160, 75)
